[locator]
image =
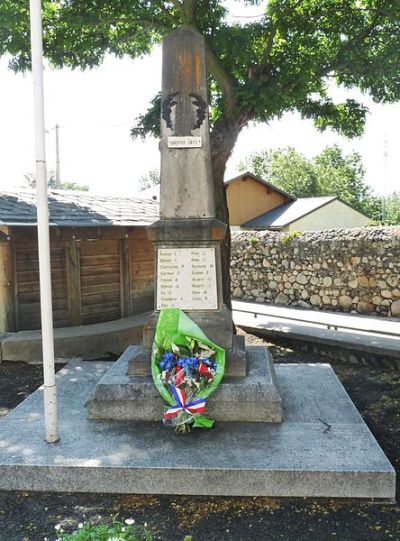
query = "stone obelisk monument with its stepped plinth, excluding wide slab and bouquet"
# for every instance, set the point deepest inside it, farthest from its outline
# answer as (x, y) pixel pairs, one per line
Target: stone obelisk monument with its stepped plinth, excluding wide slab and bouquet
(187, 241)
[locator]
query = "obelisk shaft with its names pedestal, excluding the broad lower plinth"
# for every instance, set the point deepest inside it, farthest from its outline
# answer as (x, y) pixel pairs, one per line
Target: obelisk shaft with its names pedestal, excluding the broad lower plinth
(188, 236)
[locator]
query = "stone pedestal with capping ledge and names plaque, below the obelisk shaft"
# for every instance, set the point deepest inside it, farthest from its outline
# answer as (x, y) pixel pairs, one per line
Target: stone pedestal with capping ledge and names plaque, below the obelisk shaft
(188, 276)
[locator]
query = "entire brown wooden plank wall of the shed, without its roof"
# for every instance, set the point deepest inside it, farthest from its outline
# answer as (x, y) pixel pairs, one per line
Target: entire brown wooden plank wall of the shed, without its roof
(93, 281)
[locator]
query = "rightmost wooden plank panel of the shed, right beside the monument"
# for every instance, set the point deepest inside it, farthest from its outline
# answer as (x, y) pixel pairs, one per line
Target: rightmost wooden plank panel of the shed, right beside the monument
(141, 254)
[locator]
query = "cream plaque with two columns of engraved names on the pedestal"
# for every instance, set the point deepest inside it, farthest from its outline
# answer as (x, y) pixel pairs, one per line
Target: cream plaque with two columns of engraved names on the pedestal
(187, 279)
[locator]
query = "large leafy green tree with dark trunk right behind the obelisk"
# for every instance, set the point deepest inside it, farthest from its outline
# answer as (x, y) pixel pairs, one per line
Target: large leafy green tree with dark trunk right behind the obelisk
(281, 61)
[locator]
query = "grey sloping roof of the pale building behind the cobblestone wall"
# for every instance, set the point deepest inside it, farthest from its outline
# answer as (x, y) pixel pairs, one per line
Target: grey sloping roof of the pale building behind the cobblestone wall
(288, 212)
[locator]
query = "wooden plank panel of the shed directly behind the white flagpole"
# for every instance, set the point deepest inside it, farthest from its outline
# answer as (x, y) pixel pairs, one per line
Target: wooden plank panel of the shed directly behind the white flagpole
(26, 264)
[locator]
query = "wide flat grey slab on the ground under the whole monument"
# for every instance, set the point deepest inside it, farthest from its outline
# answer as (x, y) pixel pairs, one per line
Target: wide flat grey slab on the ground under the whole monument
(322, 448)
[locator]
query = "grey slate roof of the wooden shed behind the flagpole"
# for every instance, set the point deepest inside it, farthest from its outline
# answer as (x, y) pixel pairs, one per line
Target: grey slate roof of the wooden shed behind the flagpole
(77, 209)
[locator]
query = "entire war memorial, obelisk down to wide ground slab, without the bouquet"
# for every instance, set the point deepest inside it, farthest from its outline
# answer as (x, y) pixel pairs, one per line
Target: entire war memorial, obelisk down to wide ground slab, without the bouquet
(280, 429)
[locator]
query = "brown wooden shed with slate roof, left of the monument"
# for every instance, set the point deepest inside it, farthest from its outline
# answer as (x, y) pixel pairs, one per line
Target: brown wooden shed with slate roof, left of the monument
(102, 262)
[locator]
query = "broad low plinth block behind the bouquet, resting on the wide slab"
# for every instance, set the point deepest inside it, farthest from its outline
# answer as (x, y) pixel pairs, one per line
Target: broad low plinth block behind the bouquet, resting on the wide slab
(254, 397)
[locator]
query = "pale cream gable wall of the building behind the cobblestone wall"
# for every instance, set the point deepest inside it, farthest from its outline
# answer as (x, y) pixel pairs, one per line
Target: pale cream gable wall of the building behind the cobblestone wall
(331, 216)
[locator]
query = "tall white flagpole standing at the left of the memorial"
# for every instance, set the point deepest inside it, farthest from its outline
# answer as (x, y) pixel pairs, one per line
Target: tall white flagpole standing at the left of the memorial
(50, 395)
